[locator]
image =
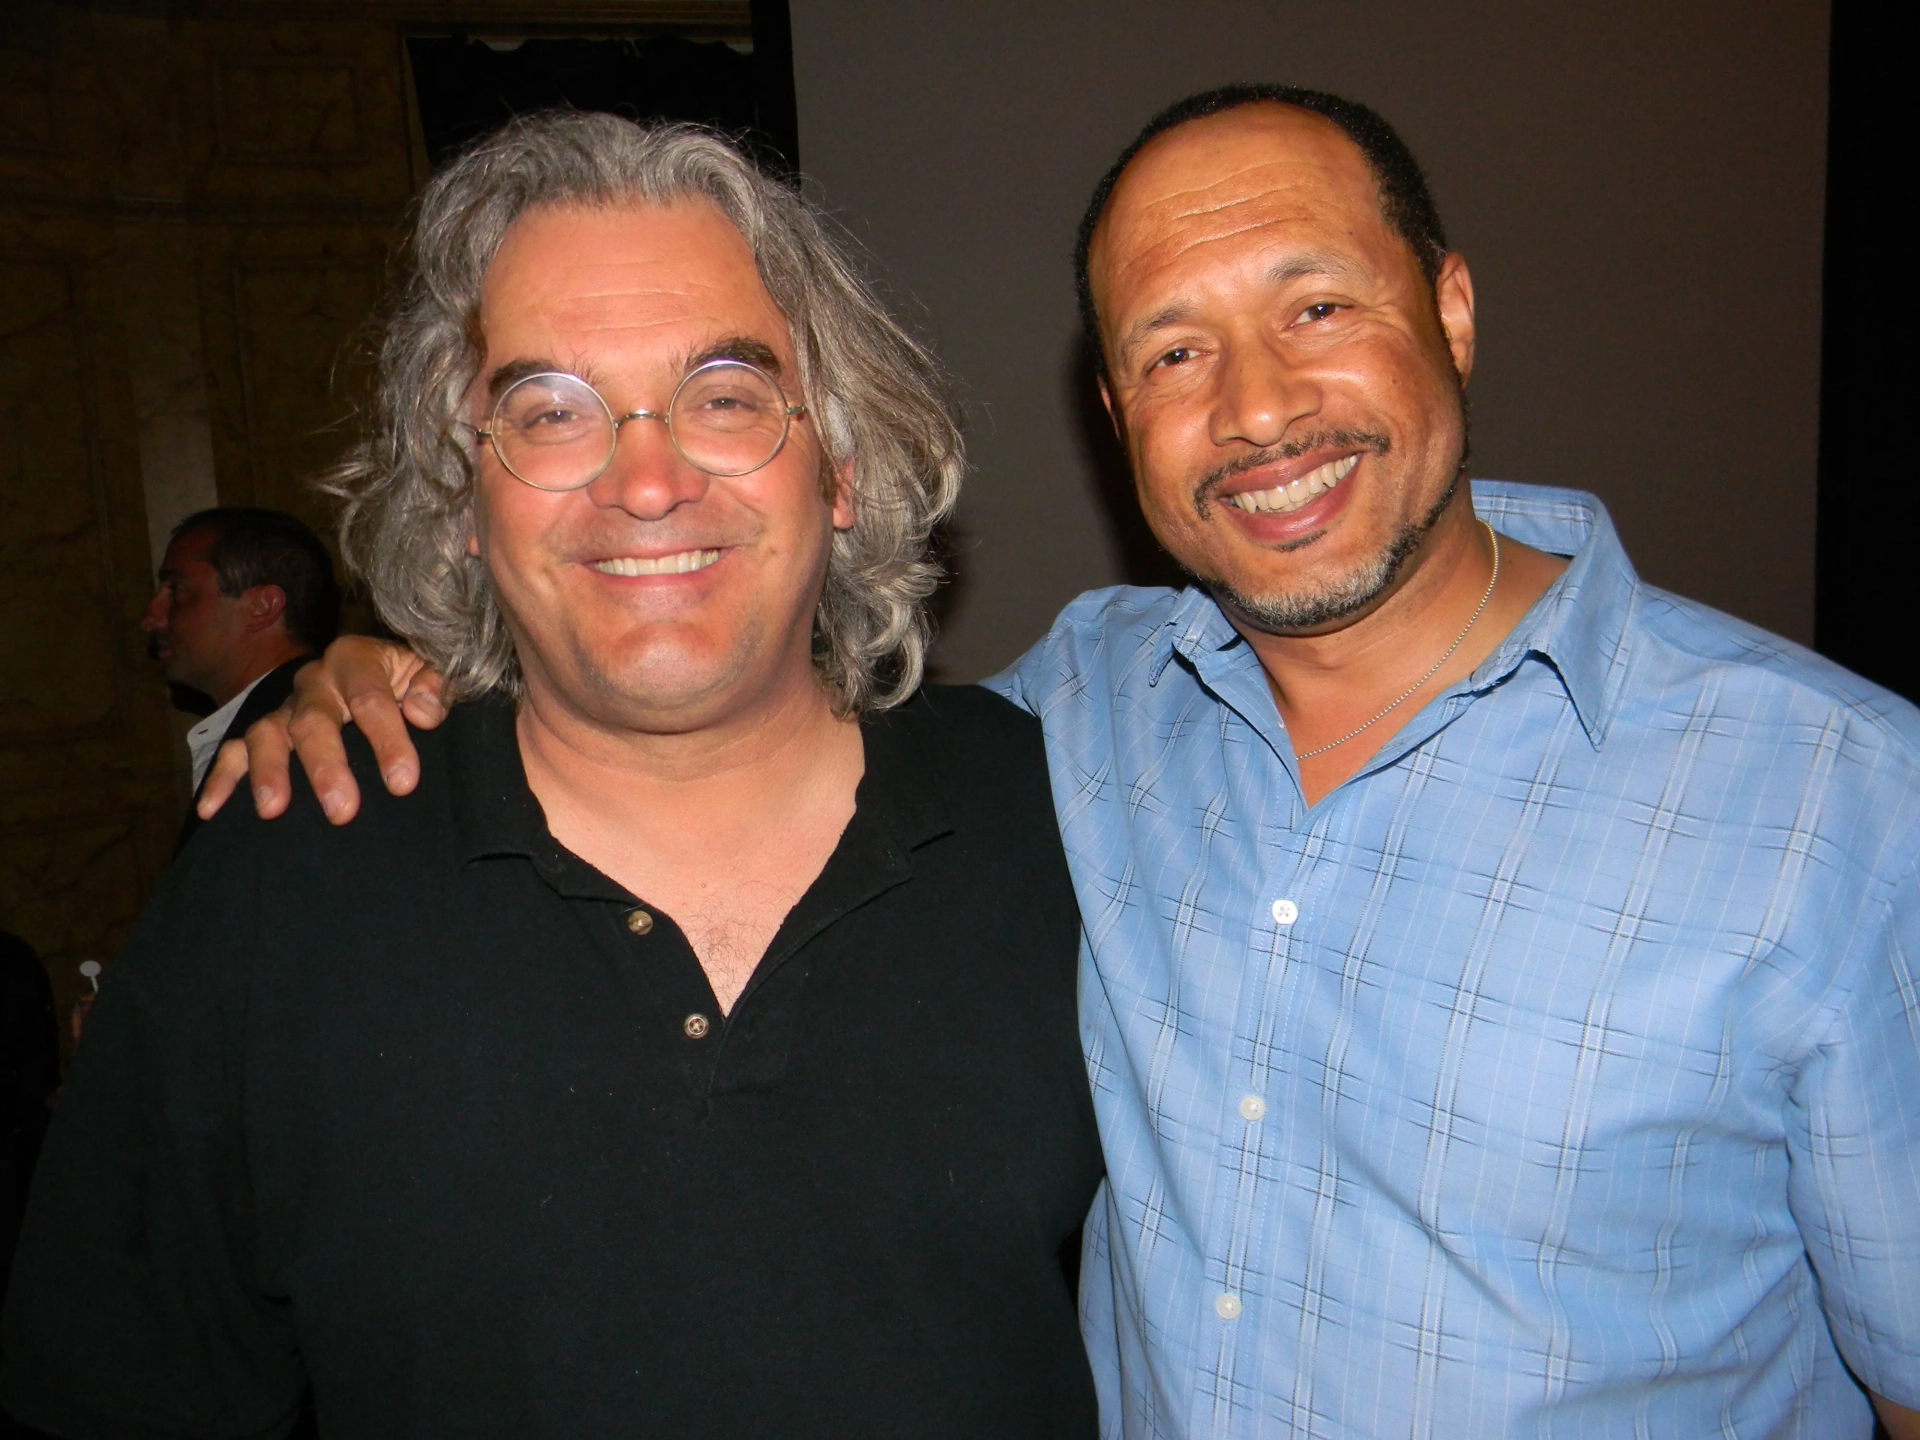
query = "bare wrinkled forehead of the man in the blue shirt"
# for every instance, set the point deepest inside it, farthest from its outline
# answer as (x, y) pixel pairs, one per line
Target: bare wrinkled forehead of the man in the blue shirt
(1228, 174)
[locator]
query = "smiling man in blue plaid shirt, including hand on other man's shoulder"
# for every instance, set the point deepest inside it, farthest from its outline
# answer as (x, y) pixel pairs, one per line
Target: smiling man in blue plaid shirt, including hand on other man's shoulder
(1500, 974)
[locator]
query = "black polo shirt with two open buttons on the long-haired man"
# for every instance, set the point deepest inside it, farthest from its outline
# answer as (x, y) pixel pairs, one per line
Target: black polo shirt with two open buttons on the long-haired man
(433, 1115)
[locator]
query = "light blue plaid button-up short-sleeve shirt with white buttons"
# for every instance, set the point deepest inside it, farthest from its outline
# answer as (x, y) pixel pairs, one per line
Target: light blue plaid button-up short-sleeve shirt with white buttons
(1556, 1076)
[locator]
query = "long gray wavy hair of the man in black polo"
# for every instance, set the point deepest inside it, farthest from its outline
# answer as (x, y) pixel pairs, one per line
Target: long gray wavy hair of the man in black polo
(880, 404)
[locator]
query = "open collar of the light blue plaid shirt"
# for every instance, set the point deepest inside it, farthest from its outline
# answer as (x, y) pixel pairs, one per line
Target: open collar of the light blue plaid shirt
(1579, 629)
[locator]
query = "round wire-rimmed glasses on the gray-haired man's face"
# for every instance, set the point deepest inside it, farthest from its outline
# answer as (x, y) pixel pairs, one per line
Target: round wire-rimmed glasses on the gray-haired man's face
(558, 433)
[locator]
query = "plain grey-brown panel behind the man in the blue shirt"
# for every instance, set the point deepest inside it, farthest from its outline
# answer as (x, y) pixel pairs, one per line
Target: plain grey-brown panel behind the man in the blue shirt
(1637, 185)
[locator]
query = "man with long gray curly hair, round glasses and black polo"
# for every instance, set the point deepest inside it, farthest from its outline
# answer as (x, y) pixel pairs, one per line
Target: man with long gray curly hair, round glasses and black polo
(696, 1051)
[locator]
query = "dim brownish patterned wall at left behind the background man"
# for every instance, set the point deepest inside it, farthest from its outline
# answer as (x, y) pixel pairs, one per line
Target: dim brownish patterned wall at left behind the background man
(193, 228)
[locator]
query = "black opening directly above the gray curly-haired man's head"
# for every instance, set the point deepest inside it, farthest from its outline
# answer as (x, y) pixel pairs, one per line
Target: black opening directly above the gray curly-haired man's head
(468, 85)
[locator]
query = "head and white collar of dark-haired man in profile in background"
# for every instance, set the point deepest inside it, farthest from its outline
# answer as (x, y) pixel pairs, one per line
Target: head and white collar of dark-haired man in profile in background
(245, 598)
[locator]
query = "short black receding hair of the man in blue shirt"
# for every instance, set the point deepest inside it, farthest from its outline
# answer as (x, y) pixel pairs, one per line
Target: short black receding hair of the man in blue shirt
(1406, 203)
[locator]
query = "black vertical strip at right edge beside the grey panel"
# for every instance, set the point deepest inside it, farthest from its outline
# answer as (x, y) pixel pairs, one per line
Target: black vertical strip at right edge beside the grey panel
(1865, 612)
